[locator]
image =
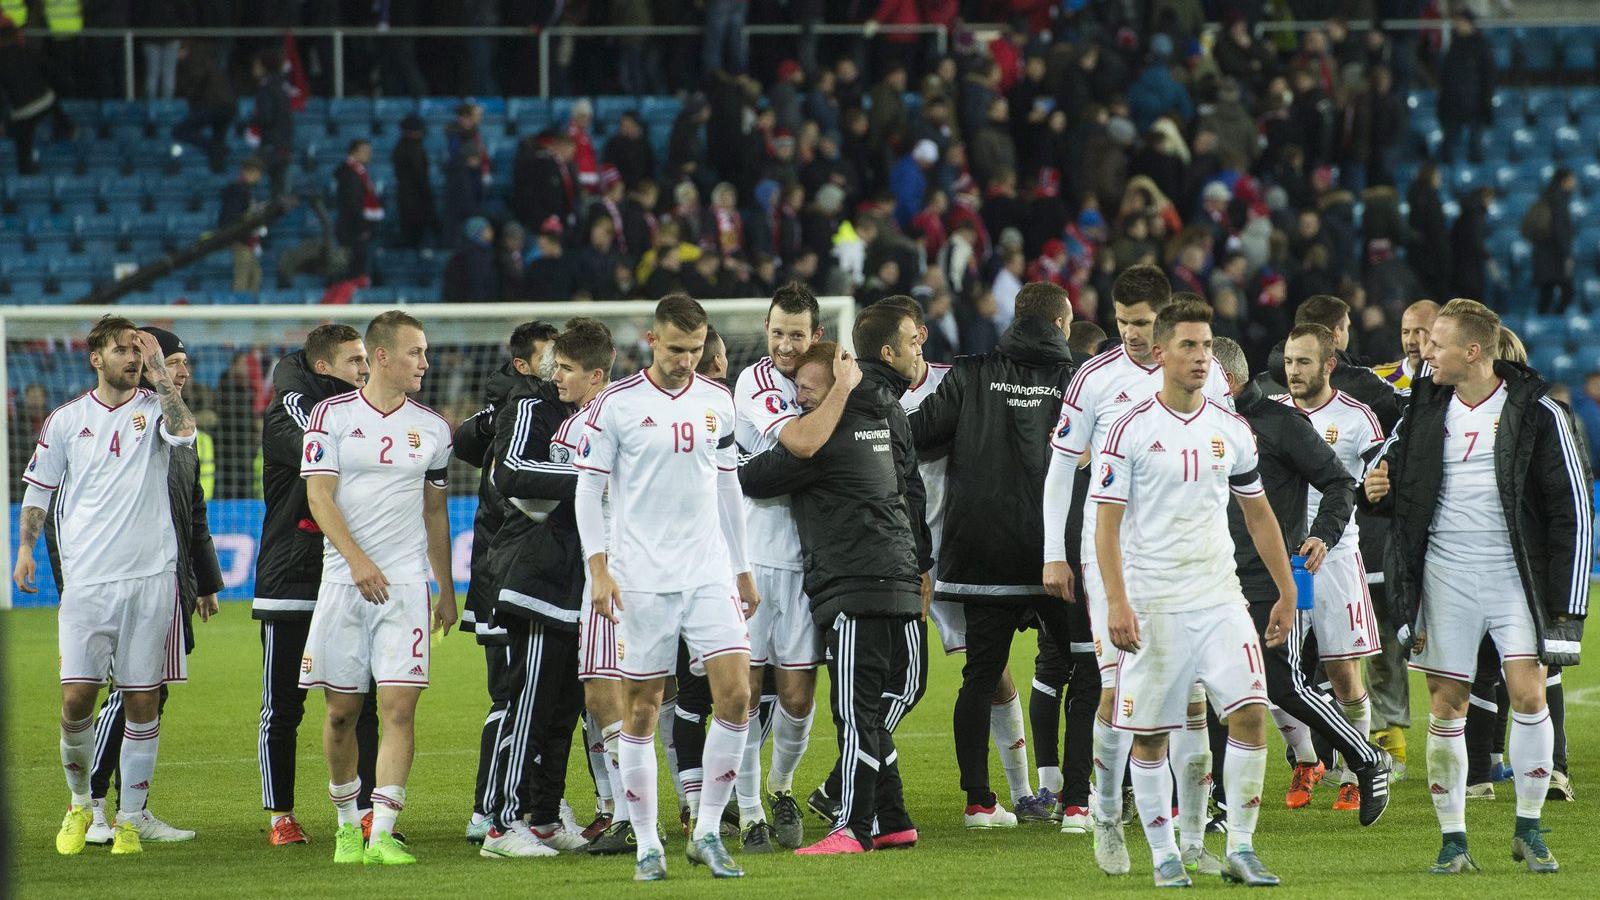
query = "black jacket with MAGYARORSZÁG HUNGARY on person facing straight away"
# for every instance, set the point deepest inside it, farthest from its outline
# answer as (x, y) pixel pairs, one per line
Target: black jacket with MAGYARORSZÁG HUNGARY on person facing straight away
(994, 414)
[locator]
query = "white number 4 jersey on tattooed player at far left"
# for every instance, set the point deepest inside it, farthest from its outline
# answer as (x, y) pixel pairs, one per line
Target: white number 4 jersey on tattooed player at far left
(114, 516)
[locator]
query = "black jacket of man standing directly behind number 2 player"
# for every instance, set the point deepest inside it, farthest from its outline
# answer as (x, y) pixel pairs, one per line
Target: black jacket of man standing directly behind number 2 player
(289, 561)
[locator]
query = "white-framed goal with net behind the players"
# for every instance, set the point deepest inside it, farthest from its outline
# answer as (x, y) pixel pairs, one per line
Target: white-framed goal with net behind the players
(233, 352)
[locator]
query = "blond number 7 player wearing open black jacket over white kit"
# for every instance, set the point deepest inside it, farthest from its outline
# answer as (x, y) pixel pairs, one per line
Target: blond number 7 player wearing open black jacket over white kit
(1494, 523)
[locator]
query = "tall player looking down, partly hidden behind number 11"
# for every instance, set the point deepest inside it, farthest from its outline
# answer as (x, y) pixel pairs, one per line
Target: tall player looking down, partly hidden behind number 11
(1103, 390)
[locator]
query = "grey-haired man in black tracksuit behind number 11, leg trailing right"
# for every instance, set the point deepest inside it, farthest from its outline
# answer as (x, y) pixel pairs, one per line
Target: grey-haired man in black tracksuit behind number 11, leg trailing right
(1294, 457)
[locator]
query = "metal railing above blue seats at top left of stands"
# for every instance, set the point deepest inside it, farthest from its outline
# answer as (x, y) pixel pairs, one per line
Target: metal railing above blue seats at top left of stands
(940, 34)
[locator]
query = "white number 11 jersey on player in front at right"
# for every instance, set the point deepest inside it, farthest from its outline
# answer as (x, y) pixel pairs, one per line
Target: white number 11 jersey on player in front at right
(1175, 475)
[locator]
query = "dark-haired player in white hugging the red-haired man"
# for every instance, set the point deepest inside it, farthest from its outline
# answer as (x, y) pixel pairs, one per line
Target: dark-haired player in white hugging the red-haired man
(783, 635)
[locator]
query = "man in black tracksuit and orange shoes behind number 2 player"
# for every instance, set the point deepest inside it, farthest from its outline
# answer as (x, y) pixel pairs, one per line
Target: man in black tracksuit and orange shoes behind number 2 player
(289, 569)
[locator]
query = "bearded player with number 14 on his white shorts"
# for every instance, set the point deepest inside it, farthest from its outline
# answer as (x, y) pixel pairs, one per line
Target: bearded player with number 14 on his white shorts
(1343, 617)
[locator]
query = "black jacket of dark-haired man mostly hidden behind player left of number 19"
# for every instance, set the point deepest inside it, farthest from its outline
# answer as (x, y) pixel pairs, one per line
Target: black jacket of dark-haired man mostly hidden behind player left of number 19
(476, 448)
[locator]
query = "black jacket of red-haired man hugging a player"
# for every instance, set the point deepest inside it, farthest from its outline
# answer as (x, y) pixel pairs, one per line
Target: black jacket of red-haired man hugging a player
(858, 505)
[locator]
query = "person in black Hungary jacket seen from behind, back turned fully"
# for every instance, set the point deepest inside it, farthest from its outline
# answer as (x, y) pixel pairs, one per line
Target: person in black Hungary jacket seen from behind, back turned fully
(994, 416)
